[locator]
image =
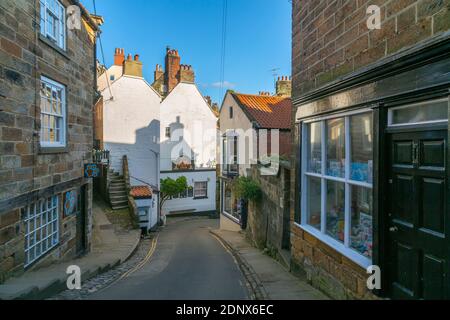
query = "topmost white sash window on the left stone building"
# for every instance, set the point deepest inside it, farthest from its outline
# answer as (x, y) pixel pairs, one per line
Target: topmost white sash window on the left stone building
(48, 8)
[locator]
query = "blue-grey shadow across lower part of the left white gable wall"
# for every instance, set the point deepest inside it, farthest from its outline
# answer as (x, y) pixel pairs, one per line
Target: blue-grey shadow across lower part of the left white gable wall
(143, 155)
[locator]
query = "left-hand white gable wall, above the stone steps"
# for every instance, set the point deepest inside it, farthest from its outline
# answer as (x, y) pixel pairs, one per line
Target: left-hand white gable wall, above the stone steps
(131, 127)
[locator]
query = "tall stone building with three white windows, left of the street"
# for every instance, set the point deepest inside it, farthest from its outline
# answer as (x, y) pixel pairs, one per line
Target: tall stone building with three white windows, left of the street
(47, 90)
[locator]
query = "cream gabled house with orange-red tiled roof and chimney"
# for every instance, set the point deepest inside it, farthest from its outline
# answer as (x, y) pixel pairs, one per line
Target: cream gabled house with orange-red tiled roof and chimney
(253, 128)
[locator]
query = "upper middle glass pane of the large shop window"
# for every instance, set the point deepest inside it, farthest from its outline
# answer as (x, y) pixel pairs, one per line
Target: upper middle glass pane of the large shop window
(336, 148)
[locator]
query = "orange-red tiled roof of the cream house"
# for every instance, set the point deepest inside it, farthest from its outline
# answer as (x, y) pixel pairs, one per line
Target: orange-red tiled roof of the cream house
(270, 112)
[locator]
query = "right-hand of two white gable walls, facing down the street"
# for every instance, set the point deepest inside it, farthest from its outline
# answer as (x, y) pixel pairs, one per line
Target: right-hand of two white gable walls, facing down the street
(198, 128)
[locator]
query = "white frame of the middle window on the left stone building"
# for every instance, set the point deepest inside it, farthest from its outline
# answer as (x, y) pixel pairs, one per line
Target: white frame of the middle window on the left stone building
(63, 128)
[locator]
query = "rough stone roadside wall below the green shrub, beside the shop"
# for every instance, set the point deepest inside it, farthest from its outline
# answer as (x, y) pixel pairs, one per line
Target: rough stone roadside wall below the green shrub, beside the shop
(266, 219)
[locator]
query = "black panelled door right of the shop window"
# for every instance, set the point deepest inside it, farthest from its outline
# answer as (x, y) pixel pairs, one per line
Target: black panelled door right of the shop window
(417, 231)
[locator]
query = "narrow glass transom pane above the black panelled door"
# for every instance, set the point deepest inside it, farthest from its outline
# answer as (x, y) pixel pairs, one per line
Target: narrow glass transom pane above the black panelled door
(431, 111)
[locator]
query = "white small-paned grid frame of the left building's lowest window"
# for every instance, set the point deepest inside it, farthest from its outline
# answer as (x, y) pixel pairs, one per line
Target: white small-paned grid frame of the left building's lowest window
(26, 220)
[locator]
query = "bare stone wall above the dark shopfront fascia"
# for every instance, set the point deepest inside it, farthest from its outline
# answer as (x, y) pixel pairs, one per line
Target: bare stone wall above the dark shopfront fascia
(331, 38)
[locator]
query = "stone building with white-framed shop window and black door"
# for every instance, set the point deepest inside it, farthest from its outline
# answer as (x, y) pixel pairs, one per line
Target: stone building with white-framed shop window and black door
(370, 185)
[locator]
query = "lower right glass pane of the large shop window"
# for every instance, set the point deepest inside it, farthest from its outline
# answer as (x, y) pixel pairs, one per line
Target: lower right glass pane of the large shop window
(361, 228)
